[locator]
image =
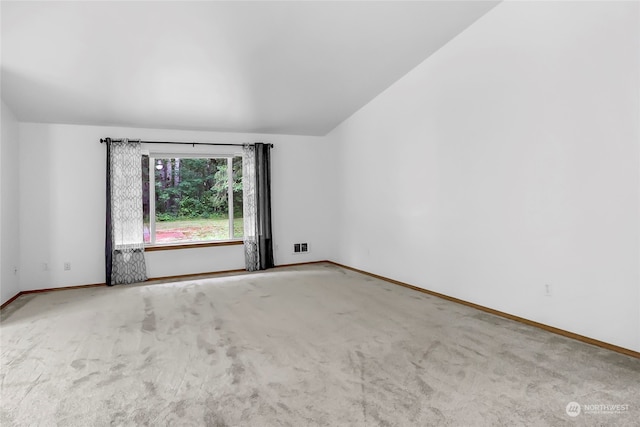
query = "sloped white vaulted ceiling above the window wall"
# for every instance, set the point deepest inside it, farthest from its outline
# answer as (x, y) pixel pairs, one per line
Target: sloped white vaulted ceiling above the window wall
(269, 67)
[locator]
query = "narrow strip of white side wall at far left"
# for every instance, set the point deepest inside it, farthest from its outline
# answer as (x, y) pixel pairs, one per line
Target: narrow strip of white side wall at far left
(9, 216)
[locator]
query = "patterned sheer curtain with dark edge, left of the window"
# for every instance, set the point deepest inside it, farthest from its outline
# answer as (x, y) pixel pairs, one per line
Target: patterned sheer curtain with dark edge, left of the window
(124, 248)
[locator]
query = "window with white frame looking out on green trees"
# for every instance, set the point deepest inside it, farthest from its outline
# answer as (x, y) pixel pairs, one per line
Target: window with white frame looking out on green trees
(191, 199)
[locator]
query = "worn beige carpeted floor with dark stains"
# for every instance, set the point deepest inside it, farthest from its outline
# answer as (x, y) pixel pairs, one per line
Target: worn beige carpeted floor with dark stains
(307, 345)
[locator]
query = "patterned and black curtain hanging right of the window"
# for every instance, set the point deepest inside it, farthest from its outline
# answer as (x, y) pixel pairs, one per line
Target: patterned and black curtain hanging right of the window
(256, 183)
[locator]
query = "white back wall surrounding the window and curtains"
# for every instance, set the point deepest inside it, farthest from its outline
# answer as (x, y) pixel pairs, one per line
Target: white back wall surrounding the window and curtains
(62, 172)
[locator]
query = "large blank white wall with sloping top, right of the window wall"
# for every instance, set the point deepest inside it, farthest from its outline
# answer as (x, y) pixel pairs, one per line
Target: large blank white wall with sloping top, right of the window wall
(506, 161)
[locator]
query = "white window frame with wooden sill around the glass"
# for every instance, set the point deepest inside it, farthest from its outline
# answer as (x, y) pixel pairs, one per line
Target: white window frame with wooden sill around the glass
(155, 155)
